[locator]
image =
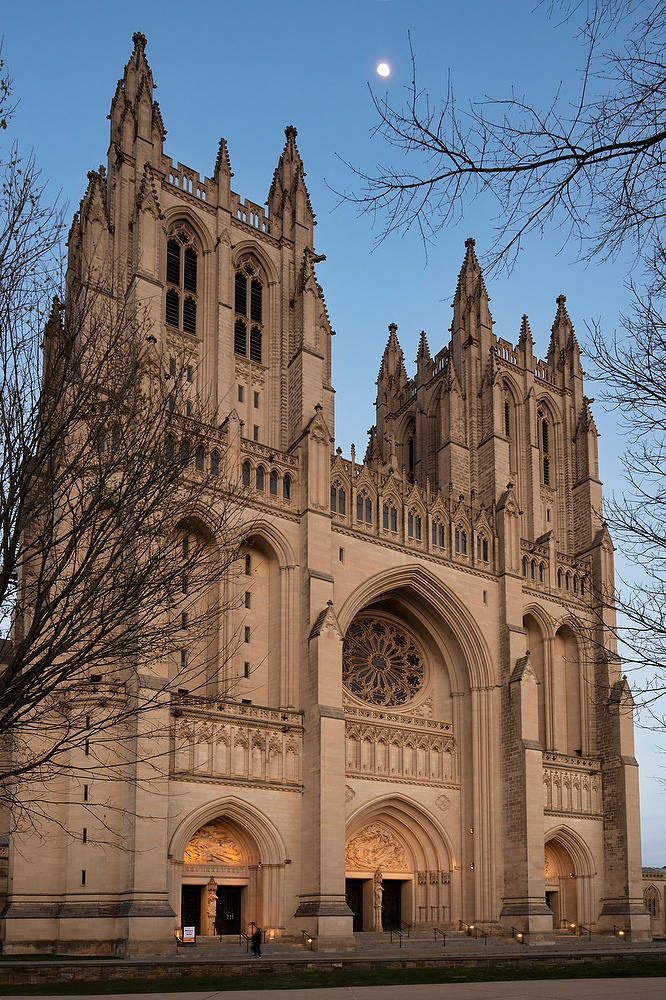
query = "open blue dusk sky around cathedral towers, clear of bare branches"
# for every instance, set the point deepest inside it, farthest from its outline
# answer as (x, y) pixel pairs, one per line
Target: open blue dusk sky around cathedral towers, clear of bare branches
(246, 71)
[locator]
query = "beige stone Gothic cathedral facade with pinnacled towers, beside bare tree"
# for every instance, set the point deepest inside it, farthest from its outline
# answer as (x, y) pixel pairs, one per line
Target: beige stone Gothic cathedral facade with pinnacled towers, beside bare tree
(419, 729)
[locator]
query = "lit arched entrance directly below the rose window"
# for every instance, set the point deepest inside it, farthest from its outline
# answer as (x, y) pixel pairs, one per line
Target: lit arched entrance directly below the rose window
(398, 867)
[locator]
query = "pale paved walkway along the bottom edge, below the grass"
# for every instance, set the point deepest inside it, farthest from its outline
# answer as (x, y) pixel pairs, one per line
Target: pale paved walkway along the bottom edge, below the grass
(537, 989)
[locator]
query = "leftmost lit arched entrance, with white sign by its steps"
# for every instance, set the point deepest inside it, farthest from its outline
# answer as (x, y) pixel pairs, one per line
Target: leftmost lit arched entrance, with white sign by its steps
(228, 866)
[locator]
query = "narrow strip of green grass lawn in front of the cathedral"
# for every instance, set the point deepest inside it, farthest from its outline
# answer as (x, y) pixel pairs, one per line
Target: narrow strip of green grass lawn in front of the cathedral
(312, 979)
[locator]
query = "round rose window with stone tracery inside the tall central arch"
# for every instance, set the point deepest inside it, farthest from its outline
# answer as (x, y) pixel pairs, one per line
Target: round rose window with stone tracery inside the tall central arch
(381, 662)
